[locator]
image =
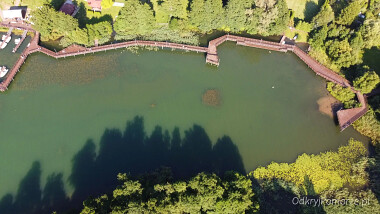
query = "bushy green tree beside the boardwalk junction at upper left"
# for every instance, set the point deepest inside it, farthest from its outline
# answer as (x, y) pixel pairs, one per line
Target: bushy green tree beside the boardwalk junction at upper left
(51, 24)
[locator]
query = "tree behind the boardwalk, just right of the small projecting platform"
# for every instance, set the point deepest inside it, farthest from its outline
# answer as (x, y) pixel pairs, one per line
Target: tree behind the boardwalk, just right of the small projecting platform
(236, 17)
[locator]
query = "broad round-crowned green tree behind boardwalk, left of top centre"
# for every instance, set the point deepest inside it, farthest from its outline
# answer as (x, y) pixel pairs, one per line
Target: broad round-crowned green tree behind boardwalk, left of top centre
(135, 19)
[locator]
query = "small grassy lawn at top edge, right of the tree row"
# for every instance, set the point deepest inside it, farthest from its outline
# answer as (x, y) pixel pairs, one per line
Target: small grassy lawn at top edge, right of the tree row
(304, 9)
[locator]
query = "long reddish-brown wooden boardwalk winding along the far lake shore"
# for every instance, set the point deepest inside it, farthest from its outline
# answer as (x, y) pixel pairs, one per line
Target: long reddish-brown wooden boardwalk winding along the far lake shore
(345, 117)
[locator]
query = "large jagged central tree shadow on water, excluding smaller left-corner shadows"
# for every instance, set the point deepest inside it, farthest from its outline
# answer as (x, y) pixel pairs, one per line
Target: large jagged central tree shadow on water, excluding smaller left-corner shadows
(137, 153)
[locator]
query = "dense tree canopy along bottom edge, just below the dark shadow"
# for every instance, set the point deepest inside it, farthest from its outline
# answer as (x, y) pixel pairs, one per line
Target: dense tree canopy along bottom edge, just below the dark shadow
(205, 193)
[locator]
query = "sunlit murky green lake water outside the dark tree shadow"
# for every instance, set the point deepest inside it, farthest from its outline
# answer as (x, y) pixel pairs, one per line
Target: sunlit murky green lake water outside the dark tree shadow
(269, 105)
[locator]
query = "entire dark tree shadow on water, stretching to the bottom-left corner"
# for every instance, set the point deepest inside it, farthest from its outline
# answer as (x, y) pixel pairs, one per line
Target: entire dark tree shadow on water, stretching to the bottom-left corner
(131, 151)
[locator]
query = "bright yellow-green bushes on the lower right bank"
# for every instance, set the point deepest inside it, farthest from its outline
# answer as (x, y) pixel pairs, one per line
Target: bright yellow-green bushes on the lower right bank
(326, 171)
